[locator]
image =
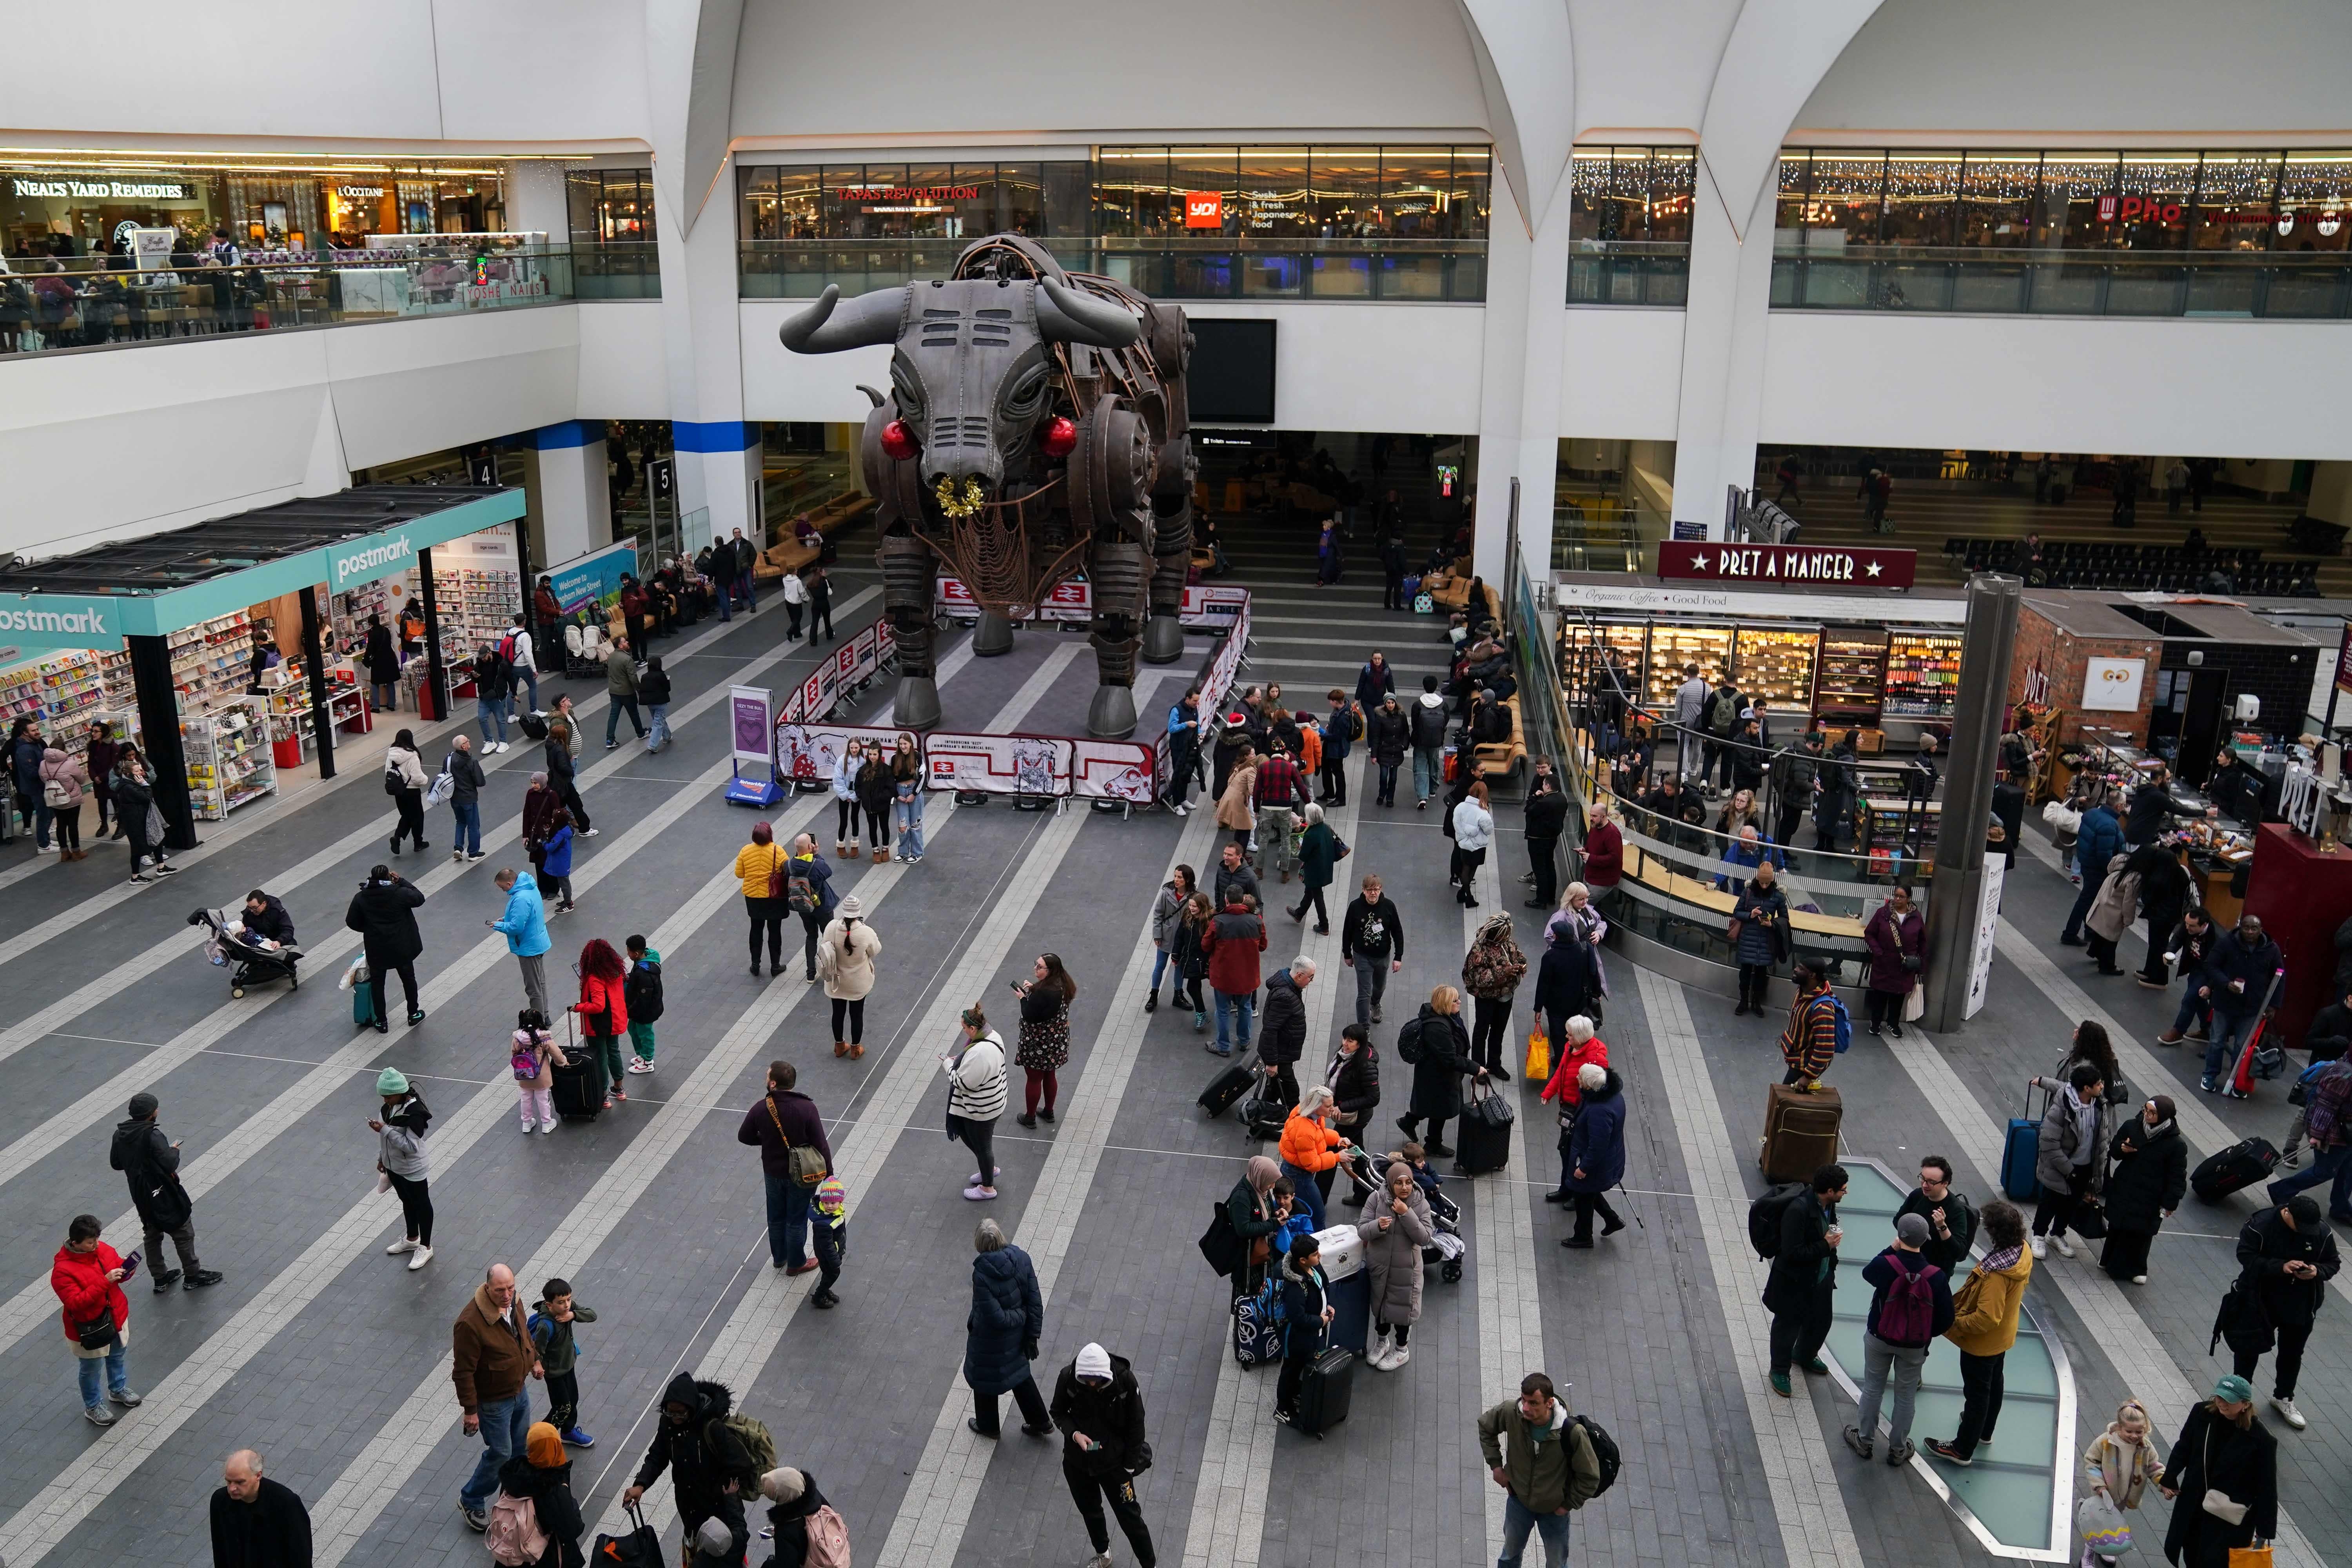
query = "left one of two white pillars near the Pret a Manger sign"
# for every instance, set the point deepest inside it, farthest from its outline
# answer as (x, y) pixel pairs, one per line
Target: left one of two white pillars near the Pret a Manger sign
(1525, 333)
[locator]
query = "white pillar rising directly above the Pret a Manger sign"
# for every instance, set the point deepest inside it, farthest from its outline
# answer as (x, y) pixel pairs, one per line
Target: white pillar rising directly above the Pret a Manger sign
(1723, 349)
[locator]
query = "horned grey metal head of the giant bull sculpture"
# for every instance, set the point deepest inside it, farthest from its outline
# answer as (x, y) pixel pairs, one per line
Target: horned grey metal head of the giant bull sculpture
(973, 368)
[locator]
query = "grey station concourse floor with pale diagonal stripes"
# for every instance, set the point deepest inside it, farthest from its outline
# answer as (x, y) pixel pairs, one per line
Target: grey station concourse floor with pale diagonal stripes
(333, 1360)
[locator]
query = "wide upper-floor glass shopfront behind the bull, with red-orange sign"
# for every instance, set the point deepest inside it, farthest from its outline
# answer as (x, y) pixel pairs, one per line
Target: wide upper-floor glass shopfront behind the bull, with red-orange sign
(1180, 222)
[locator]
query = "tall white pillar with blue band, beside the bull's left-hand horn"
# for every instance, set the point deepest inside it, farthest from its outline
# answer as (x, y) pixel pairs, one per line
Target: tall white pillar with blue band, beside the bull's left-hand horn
(719, 453)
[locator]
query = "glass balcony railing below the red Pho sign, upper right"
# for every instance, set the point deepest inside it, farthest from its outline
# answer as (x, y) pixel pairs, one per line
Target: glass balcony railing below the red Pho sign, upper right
(2271, 286)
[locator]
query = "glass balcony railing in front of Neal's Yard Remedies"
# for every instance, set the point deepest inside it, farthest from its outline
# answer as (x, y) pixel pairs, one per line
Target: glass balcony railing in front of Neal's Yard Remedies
(83, 302)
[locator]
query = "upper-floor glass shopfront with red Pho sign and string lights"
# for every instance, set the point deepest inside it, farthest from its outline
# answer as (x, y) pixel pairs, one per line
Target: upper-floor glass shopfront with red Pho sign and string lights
(2078, 234)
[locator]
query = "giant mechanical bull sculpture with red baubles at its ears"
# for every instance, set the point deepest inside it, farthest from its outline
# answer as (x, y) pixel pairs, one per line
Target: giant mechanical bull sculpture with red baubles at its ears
(1036, 431)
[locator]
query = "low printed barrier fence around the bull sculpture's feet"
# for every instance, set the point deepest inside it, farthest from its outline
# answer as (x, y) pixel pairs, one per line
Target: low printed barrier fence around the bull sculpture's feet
(803, 746)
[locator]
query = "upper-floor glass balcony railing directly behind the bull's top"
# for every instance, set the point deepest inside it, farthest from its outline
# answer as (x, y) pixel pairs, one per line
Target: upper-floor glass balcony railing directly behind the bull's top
(1163, 269)
